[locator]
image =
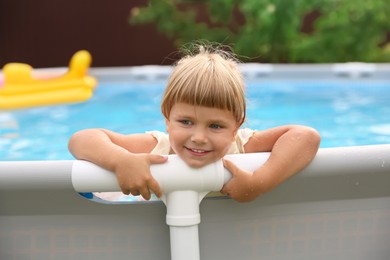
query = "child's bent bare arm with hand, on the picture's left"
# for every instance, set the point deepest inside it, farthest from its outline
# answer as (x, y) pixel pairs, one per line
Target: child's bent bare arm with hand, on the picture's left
(126, 155)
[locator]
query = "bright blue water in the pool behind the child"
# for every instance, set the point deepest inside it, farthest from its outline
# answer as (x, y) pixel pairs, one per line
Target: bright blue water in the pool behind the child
(345, 113)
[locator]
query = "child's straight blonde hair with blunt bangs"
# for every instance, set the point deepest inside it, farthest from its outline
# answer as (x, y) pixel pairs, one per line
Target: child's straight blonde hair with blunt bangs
(210, 77)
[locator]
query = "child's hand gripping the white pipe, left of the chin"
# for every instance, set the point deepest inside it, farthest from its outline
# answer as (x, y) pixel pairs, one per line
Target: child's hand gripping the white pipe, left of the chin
(134, 177)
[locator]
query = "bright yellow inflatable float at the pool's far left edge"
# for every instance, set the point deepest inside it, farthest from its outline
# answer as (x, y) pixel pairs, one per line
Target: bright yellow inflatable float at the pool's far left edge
(21, 90)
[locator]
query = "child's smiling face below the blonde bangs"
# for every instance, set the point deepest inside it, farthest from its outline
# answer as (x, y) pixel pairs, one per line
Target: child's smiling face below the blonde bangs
(200, 135)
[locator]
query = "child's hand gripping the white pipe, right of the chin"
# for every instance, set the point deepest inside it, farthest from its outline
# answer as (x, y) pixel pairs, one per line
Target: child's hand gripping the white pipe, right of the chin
(244, 186)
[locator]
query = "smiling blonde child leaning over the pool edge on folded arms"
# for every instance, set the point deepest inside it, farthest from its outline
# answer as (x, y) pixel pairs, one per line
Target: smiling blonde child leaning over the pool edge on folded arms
(204, 107)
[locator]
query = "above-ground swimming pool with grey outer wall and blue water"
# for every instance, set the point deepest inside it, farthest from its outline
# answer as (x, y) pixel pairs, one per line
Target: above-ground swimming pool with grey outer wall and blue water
(338, 208)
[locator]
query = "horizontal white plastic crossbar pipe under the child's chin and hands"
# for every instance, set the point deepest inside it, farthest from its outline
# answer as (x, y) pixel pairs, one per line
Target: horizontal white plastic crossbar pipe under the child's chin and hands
(173, 175)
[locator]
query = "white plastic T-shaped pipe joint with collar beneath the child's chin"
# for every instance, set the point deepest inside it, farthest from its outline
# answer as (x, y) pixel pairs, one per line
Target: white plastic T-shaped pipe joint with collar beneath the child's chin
(185, 187)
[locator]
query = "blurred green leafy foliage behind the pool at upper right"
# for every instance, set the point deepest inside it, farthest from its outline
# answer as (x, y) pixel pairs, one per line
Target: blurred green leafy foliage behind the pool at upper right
(271, 30)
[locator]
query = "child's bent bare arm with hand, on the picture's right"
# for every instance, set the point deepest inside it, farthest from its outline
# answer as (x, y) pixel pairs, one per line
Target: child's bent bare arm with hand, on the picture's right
(292, 148)
